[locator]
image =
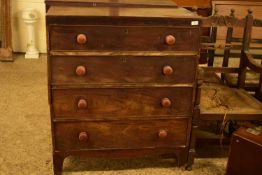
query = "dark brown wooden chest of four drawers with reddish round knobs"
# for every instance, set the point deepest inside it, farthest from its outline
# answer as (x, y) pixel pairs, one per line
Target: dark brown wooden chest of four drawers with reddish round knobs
(122, 78)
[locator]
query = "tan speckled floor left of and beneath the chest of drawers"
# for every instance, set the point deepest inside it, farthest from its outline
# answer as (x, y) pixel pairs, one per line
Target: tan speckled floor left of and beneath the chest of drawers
(25, 141)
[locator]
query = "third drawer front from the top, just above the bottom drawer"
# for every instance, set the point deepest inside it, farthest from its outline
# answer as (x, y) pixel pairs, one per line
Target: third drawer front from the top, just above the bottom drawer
(121, 102)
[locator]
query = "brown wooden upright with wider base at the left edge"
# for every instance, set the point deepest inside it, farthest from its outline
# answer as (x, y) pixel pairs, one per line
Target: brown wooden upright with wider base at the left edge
(5, 32)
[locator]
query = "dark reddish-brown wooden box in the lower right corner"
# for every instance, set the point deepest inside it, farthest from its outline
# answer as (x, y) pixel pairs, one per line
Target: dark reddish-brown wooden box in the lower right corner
(245, 154)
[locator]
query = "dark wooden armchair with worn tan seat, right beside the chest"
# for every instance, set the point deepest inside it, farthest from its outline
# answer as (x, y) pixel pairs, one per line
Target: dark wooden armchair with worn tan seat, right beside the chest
(218, 102)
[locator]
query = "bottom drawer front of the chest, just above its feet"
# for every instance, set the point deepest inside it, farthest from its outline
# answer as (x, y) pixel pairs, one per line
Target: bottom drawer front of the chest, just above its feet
(121, 134)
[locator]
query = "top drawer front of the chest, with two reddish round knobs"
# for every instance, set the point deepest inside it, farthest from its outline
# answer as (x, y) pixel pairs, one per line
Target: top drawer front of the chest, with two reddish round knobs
(124, 38)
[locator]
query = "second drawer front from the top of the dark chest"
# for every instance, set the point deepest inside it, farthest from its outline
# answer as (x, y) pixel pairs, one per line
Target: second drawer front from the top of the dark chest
(75, 70)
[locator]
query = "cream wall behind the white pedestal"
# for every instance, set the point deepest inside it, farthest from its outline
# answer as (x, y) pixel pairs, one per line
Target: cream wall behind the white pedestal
(19, 32)
